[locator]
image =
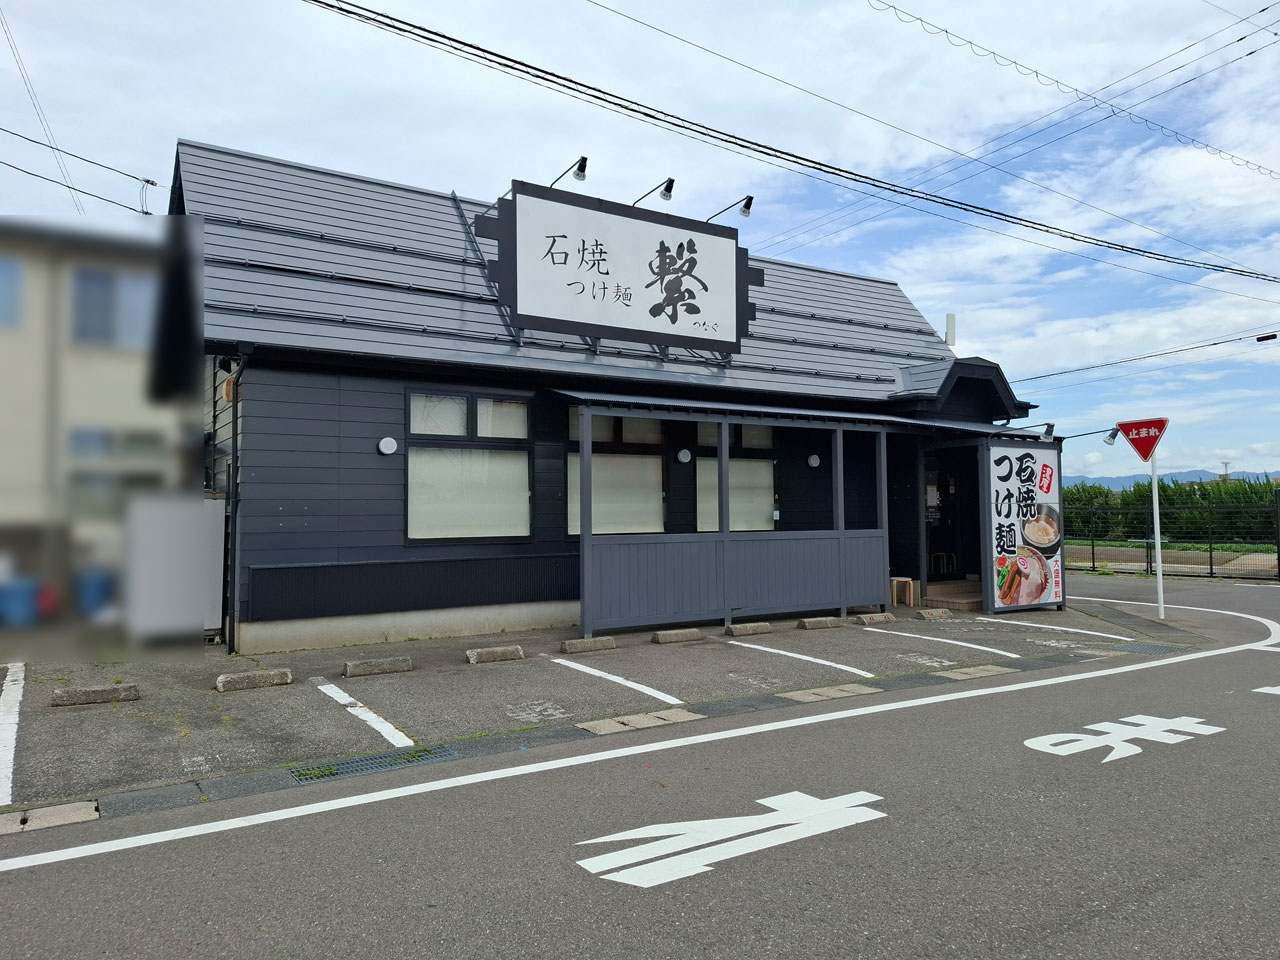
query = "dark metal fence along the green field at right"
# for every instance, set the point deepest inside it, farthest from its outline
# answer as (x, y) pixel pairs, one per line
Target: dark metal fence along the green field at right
(1220, 541)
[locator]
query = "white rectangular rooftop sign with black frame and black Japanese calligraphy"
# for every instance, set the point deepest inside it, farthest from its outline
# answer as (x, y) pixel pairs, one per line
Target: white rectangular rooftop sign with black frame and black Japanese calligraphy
(595, 268)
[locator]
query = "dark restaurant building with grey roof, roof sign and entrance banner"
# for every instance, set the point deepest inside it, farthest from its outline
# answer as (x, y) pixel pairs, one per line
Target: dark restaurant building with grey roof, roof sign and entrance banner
(437, 417)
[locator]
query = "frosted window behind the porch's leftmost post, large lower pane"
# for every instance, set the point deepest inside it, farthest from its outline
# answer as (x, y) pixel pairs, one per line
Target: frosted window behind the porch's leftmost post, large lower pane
(627, 495)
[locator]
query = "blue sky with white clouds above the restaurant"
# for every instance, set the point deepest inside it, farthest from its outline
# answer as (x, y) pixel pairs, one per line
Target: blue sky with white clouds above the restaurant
(852, 84)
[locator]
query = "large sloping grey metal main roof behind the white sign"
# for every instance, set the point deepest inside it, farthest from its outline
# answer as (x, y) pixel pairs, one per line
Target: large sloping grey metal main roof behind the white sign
(305, 258)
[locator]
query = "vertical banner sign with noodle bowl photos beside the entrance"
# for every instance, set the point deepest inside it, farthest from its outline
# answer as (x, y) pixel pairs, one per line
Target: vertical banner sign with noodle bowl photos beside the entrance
(1026, 500)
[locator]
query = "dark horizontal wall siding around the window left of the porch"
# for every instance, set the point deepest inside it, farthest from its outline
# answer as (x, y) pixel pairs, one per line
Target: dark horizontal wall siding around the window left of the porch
(314, 491)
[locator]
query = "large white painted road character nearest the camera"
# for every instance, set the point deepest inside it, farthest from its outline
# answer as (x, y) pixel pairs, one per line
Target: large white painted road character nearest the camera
(673, 854)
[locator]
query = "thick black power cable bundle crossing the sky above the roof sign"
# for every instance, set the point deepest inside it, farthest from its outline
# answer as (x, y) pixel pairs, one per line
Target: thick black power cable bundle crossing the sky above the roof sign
(490, 58)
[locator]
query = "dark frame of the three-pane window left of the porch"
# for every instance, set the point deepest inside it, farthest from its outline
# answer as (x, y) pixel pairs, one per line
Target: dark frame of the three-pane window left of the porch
(472, 441)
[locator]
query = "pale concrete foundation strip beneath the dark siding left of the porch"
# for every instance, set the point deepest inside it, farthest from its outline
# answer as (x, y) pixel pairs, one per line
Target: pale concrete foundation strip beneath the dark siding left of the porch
(326, 633)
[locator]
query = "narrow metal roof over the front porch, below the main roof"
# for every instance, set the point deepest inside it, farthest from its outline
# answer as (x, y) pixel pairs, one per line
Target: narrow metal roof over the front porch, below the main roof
(788, 415)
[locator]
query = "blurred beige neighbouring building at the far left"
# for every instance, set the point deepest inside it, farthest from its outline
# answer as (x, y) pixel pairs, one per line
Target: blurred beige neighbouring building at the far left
(77, 435)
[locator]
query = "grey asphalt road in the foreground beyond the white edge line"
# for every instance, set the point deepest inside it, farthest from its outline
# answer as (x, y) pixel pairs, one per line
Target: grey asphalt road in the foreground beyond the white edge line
(986, 848)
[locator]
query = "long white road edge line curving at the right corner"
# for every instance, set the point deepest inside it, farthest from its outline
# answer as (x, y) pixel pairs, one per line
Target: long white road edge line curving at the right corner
(200, 830)
